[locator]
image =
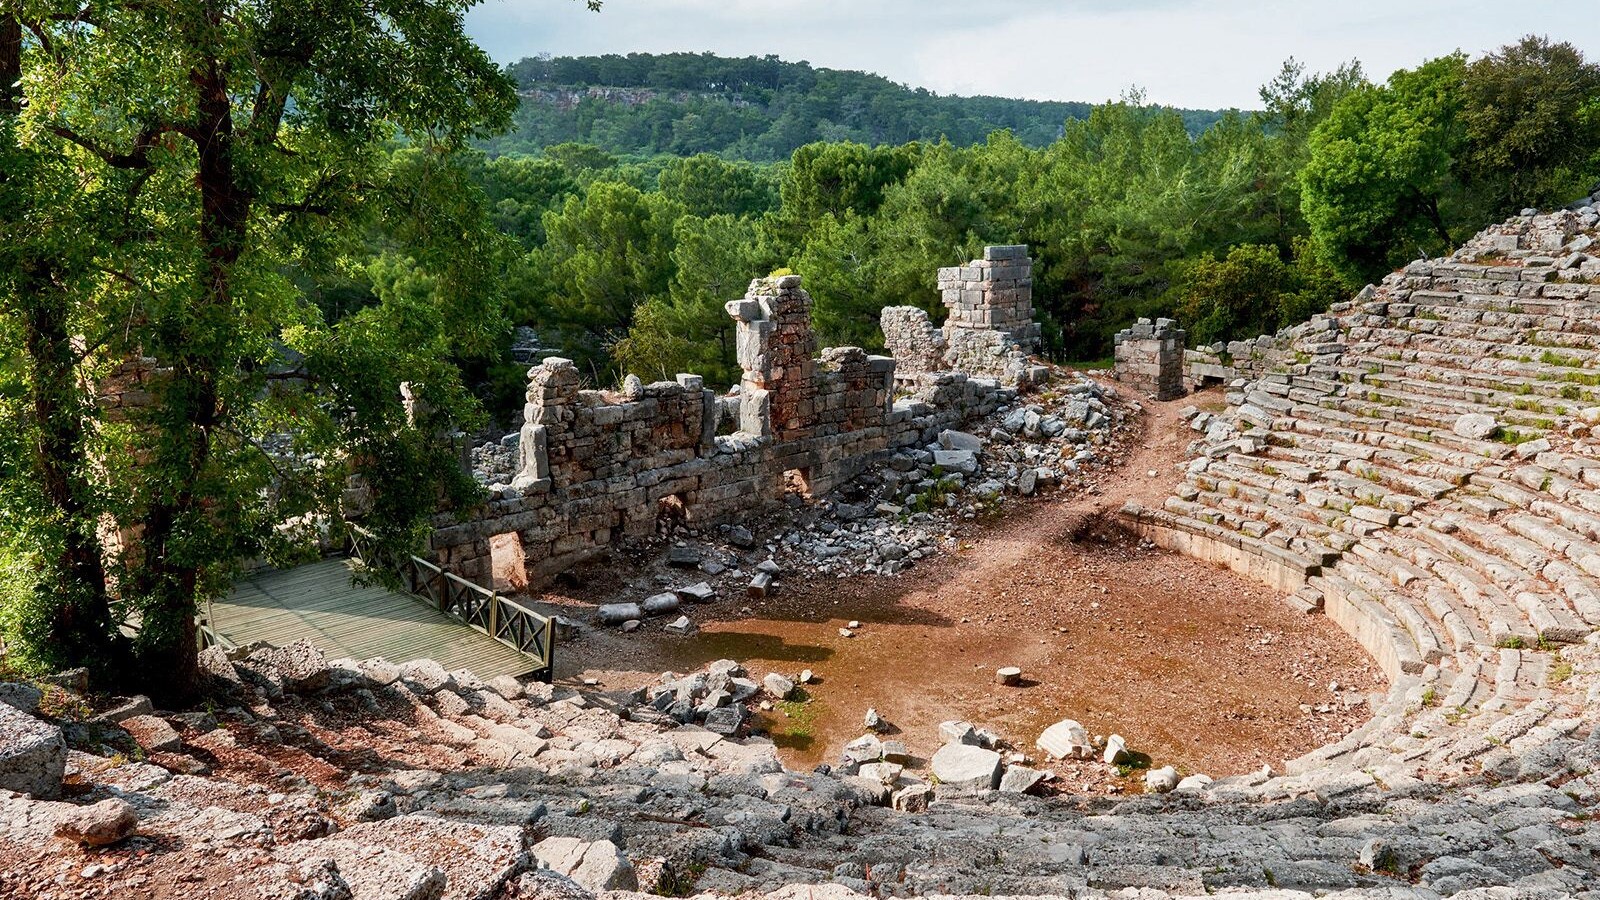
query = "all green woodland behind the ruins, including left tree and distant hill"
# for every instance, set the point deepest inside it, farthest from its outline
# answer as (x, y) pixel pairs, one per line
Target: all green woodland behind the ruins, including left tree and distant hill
(228, 239)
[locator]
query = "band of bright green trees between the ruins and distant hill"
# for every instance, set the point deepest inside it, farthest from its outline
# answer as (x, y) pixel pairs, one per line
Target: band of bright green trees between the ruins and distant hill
(1255, 223)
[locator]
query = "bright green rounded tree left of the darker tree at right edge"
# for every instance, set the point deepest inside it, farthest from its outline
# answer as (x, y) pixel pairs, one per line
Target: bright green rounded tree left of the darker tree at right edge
(1380, 180)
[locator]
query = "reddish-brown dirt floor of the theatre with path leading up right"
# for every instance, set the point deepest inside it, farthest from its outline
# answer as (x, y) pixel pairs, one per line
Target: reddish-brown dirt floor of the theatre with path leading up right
(1191, 664)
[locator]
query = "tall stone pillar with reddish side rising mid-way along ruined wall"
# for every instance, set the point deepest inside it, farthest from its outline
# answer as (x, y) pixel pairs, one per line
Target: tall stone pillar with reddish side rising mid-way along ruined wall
(778, 356)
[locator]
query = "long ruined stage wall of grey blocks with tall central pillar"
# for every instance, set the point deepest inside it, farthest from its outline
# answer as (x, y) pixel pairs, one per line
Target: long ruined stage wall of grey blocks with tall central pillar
(596, 467)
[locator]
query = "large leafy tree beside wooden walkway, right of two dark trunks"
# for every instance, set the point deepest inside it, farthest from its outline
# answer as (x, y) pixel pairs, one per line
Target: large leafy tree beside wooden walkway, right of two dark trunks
(244, 145)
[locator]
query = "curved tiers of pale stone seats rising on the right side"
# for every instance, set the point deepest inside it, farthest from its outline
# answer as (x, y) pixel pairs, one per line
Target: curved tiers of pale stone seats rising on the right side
(1417, 465)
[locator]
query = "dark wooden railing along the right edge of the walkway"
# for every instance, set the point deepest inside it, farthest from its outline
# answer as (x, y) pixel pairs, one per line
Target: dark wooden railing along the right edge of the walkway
(478, 608)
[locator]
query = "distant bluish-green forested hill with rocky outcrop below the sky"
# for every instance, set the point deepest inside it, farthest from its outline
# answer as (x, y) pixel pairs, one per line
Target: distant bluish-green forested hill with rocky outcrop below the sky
(758, 108)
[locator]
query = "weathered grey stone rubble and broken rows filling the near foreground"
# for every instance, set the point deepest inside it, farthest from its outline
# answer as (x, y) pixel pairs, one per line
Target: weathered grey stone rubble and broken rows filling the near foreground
(388, 784)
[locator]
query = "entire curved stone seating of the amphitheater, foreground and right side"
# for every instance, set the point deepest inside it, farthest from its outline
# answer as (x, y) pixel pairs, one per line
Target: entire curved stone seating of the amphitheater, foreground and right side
(1415, 465)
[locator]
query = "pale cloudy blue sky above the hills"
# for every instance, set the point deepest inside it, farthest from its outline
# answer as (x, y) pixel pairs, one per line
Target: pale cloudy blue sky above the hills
(1196, 54)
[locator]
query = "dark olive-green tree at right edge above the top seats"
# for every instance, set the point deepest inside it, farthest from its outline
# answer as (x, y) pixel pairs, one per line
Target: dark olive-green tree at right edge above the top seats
(1532, 115)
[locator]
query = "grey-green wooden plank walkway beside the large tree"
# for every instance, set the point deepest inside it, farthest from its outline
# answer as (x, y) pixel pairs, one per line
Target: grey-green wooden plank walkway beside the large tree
(342, 619)
